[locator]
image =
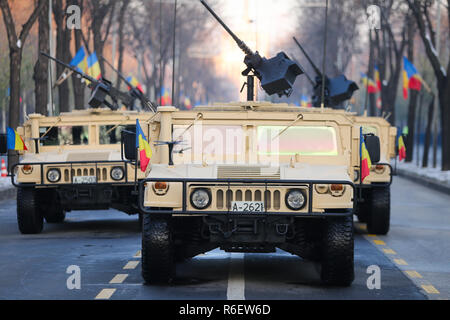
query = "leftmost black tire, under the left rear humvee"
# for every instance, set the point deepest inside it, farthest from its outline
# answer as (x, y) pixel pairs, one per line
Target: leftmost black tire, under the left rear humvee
(29, 217)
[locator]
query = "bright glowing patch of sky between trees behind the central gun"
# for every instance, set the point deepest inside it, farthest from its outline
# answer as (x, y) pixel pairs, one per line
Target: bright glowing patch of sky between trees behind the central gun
(259, 23)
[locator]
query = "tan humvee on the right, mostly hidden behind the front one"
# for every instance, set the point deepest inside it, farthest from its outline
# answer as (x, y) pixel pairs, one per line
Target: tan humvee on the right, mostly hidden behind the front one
(374, 202)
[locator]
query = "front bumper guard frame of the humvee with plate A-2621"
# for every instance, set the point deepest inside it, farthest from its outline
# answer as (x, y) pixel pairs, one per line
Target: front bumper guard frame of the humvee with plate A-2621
(229, 184)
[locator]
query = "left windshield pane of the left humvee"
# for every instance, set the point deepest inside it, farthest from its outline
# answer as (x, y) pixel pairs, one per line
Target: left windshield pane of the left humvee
(64, 135)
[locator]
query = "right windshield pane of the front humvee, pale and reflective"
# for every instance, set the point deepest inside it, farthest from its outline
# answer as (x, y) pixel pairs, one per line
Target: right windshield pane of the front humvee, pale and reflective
(302, 140)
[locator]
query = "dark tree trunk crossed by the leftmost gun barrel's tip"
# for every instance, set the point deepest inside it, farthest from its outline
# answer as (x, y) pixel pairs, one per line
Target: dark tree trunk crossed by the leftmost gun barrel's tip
(41, 66)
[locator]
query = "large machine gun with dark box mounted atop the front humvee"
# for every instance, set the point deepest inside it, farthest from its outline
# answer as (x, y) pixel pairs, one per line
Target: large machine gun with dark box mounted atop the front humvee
(277, 75)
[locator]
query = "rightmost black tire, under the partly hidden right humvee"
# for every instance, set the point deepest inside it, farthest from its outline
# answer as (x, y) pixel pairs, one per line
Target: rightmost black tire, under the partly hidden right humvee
(378, 222)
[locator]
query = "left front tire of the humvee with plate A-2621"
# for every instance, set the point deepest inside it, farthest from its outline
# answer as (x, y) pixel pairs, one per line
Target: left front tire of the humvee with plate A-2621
(158, 265)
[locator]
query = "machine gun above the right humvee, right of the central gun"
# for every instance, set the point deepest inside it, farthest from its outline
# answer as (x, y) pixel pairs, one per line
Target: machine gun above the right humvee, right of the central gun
(337, 90)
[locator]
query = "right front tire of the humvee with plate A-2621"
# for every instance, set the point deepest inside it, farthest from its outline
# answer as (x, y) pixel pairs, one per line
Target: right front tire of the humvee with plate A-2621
(338, 252)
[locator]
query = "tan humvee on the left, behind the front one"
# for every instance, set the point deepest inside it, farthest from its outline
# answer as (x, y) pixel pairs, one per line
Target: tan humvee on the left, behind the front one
(74, 162)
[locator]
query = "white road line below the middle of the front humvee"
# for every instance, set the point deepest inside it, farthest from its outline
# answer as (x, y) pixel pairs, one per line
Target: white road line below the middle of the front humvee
(236, 280)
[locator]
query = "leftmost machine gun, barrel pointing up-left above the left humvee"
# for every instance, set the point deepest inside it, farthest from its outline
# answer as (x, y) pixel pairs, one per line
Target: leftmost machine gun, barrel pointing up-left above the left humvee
(100, 89)
